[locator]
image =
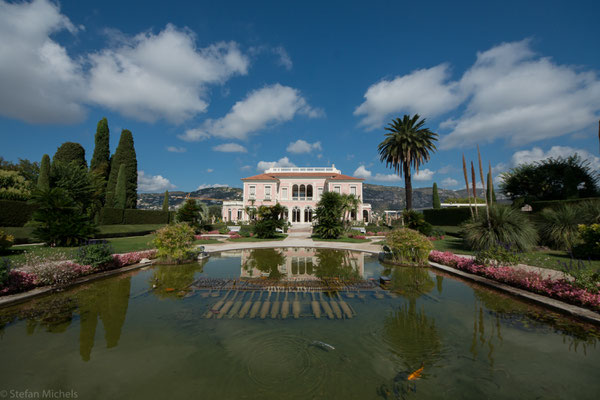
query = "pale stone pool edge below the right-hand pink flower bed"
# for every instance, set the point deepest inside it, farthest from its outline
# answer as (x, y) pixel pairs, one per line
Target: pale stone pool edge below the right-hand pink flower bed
(557, 305)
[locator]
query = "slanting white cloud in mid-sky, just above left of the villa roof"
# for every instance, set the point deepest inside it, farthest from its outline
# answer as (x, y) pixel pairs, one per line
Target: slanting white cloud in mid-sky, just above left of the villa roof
(260, 109)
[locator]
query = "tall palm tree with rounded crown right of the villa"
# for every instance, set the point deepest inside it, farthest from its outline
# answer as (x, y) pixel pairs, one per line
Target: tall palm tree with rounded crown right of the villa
(407, 145)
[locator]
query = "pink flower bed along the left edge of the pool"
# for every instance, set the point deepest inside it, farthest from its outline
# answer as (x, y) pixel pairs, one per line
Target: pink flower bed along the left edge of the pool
(61, 272)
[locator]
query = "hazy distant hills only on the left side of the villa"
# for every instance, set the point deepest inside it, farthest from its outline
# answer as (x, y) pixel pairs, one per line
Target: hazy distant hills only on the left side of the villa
(210, 196)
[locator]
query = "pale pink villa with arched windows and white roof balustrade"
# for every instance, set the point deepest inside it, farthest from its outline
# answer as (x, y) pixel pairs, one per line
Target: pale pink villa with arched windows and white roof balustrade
(298, 189)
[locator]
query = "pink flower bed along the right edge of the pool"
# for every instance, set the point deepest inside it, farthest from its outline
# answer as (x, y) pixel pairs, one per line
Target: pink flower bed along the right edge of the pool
(560, 289)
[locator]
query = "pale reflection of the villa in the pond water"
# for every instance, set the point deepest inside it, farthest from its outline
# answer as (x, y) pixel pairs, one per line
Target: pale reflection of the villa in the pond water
(298, 263)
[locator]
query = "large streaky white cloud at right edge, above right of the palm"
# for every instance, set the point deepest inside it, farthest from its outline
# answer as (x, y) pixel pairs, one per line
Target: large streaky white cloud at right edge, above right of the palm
(514, 94)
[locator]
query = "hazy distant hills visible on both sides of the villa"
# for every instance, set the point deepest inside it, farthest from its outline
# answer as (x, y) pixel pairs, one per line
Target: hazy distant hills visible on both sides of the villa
(380, 197)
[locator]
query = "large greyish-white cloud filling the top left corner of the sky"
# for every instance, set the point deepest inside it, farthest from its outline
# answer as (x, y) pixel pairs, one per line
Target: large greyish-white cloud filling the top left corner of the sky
(40, 82)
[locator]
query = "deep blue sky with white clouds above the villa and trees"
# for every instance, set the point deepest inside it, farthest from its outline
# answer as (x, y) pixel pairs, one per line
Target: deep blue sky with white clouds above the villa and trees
(216, 91)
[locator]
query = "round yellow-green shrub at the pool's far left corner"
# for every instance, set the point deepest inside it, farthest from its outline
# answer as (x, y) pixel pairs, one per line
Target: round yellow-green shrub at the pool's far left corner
(174, 242)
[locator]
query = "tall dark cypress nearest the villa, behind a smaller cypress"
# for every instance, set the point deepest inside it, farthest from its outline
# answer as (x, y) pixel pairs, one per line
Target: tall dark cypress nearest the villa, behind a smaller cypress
(125, 154)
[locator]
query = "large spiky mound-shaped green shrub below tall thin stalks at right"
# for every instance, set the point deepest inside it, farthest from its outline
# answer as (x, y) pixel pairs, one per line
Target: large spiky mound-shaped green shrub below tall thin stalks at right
(506, 225)
